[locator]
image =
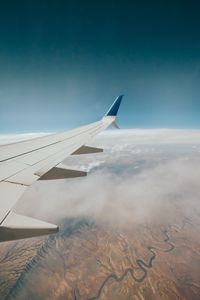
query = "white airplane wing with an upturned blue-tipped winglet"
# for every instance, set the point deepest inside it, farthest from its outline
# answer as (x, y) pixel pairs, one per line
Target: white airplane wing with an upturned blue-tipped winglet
(23, 163)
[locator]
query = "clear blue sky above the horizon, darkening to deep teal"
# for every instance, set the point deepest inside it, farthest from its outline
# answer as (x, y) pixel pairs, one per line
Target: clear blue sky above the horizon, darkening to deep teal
(62, 63)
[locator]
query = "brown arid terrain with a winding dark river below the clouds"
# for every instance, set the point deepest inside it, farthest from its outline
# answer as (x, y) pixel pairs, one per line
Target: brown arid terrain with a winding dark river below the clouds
(97, 261)
